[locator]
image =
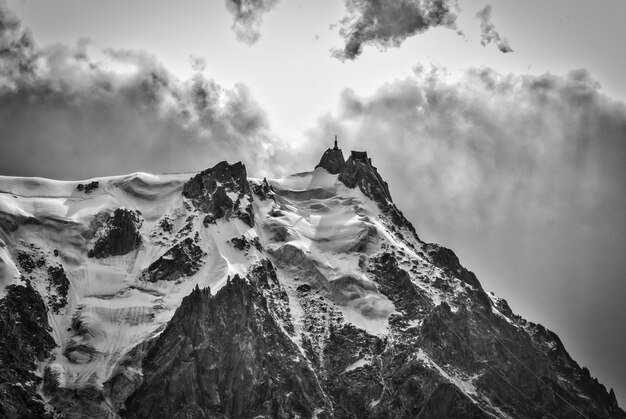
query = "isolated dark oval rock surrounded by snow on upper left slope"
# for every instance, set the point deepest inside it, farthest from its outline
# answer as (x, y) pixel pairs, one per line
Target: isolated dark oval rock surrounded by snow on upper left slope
(118, 235)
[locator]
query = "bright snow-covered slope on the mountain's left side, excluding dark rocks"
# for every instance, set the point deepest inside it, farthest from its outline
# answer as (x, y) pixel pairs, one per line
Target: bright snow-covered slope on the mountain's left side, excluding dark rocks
(115, 309)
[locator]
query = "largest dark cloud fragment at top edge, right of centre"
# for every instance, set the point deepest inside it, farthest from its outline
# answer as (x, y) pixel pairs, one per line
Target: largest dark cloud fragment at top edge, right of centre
(387, 23)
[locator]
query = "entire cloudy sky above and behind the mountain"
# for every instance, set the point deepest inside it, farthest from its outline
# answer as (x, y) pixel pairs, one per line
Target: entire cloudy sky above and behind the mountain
(500, 126)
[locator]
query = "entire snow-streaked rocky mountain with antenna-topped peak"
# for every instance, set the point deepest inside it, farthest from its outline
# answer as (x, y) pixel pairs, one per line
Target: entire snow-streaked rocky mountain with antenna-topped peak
(217, 295)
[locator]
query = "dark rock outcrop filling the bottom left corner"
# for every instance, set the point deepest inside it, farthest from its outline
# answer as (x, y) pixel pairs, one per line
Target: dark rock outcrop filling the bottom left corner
(24, 340)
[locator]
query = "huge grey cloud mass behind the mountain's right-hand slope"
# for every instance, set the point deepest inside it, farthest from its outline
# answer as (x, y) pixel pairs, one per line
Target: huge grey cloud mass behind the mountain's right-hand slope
(524, 177)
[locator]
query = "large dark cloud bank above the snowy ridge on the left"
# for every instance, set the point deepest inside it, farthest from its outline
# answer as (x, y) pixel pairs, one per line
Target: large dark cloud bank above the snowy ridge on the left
(77, 111)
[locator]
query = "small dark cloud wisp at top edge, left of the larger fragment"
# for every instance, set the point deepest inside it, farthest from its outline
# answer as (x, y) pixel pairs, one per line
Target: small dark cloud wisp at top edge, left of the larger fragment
(248, 16)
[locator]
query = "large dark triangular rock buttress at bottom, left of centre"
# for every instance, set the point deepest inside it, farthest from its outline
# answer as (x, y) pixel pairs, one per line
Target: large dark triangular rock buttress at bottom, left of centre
(225, 356)
